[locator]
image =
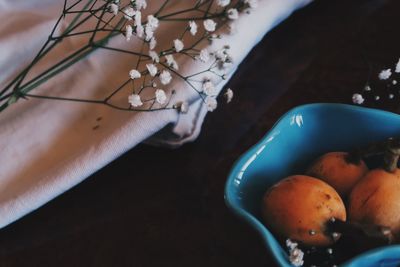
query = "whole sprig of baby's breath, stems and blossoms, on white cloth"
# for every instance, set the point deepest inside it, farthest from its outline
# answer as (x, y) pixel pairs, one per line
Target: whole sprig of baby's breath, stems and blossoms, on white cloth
(156, 68)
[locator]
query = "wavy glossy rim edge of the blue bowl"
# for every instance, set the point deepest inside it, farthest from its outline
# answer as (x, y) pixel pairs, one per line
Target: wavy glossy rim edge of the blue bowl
(281, 258)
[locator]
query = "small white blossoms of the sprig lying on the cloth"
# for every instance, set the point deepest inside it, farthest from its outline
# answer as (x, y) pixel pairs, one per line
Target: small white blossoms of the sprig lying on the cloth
(163, 68)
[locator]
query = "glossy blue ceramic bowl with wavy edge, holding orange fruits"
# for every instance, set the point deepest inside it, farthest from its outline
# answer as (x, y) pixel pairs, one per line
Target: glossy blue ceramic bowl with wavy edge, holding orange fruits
(301, 135)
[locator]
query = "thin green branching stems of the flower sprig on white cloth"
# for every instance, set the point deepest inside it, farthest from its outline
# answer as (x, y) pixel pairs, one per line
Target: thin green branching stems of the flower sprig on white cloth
(97, 10)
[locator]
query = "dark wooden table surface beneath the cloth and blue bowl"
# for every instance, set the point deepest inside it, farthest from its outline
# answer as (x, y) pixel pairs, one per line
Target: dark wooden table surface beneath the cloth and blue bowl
(159, 207)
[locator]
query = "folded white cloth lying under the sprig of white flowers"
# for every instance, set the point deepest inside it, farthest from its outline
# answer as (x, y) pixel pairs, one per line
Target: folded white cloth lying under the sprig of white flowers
(47, 147)
